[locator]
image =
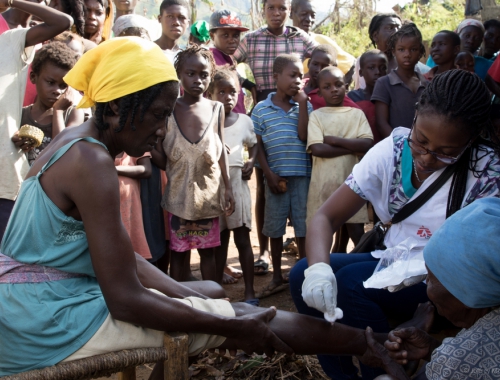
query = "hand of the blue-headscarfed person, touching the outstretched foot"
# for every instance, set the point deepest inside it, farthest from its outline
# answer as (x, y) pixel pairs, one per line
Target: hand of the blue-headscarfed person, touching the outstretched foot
(408, 344)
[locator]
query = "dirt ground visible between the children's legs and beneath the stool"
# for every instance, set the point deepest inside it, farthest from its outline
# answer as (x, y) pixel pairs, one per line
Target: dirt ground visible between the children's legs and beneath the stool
(282, 300)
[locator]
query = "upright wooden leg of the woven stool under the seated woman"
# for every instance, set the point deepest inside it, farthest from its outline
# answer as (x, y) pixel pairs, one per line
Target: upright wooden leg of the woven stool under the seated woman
(176, 366)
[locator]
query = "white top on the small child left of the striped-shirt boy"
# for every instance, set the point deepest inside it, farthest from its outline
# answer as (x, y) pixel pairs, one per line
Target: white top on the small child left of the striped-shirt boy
(237, 136)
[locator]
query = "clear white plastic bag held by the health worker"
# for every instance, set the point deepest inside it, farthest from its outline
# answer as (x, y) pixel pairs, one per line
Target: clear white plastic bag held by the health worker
(399, 267)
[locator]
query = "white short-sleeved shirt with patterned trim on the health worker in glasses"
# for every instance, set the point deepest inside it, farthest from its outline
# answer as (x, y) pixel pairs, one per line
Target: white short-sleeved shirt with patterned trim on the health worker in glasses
(378, 179)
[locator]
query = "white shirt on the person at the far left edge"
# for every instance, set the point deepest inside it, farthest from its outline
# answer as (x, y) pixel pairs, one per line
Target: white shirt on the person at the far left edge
(14, 63)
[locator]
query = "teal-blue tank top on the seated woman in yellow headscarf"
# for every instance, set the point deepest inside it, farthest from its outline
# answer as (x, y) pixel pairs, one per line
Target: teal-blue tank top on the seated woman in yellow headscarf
(43, 323)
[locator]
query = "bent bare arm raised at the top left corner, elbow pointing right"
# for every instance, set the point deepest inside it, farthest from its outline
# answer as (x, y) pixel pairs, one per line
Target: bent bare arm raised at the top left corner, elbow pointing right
(54, 22)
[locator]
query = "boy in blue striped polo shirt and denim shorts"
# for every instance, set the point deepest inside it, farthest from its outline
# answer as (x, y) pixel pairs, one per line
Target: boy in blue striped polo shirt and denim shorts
(280, 123)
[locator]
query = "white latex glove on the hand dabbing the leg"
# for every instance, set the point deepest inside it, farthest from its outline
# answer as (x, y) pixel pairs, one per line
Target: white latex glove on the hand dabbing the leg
(319, 290)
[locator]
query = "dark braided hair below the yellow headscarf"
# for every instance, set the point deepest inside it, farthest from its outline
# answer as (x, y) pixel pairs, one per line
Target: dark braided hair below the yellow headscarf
(132, 105)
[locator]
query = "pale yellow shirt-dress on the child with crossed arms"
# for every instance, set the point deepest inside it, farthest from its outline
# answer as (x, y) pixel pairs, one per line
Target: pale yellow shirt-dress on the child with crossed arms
(328, 174)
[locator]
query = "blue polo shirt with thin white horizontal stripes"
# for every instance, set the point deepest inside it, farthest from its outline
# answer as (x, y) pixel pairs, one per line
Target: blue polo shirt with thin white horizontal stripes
(285, 152)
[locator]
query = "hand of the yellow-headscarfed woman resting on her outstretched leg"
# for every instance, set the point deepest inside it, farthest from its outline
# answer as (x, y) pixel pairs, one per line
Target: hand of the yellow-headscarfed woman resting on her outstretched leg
(256, 335)
